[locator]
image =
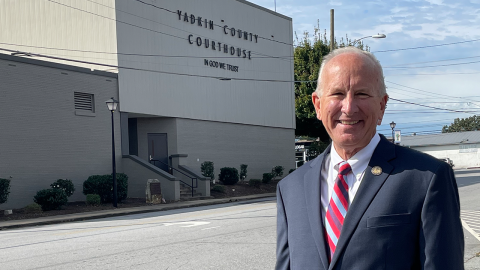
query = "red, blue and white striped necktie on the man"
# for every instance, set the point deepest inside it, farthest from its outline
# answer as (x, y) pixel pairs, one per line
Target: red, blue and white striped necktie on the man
(337, 208)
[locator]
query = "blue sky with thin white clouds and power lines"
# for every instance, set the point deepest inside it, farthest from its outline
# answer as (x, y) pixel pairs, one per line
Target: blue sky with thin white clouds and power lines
(430, 55)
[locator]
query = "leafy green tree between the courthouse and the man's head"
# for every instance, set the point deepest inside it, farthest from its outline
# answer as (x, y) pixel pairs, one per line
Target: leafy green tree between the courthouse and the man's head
(308, 56)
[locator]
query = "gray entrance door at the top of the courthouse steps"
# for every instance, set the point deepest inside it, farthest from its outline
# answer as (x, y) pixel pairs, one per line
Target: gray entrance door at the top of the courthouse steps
(158, 150)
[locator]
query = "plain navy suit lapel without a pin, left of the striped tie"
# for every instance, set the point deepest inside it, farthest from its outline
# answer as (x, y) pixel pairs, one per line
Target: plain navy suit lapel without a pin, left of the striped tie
(313, 197)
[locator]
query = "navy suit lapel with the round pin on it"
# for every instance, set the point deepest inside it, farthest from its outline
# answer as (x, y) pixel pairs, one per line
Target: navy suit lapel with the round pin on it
(369, 187)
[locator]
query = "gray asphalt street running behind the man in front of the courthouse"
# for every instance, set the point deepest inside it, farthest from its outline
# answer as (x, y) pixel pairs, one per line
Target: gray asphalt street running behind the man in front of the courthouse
(239, 235)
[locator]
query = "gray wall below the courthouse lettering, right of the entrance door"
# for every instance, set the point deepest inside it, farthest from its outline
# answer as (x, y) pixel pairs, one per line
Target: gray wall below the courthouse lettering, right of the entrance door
(229, 145)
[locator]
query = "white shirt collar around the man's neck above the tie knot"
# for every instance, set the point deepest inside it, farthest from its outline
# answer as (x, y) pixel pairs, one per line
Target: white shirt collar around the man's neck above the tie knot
(360, 160)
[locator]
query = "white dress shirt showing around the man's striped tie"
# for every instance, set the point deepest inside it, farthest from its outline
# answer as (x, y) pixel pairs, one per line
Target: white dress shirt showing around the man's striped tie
(358, 163)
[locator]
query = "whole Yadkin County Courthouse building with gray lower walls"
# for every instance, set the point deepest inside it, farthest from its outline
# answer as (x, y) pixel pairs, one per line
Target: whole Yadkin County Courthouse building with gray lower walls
(196, 81)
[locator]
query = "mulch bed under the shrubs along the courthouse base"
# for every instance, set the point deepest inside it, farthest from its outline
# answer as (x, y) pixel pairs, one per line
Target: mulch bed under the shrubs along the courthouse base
(240, 189)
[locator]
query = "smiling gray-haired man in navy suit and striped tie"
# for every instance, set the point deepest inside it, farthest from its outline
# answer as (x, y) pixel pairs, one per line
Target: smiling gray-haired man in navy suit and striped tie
(365, 203)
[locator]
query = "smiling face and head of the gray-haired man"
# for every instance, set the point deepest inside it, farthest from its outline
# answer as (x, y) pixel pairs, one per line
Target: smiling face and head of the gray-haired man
(350, 106)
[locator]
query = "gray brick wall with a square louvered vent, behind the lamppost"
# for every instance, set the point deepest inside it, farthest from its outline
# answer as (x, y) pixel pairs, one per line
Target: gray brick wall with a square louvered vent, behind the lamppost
(42, 138)
